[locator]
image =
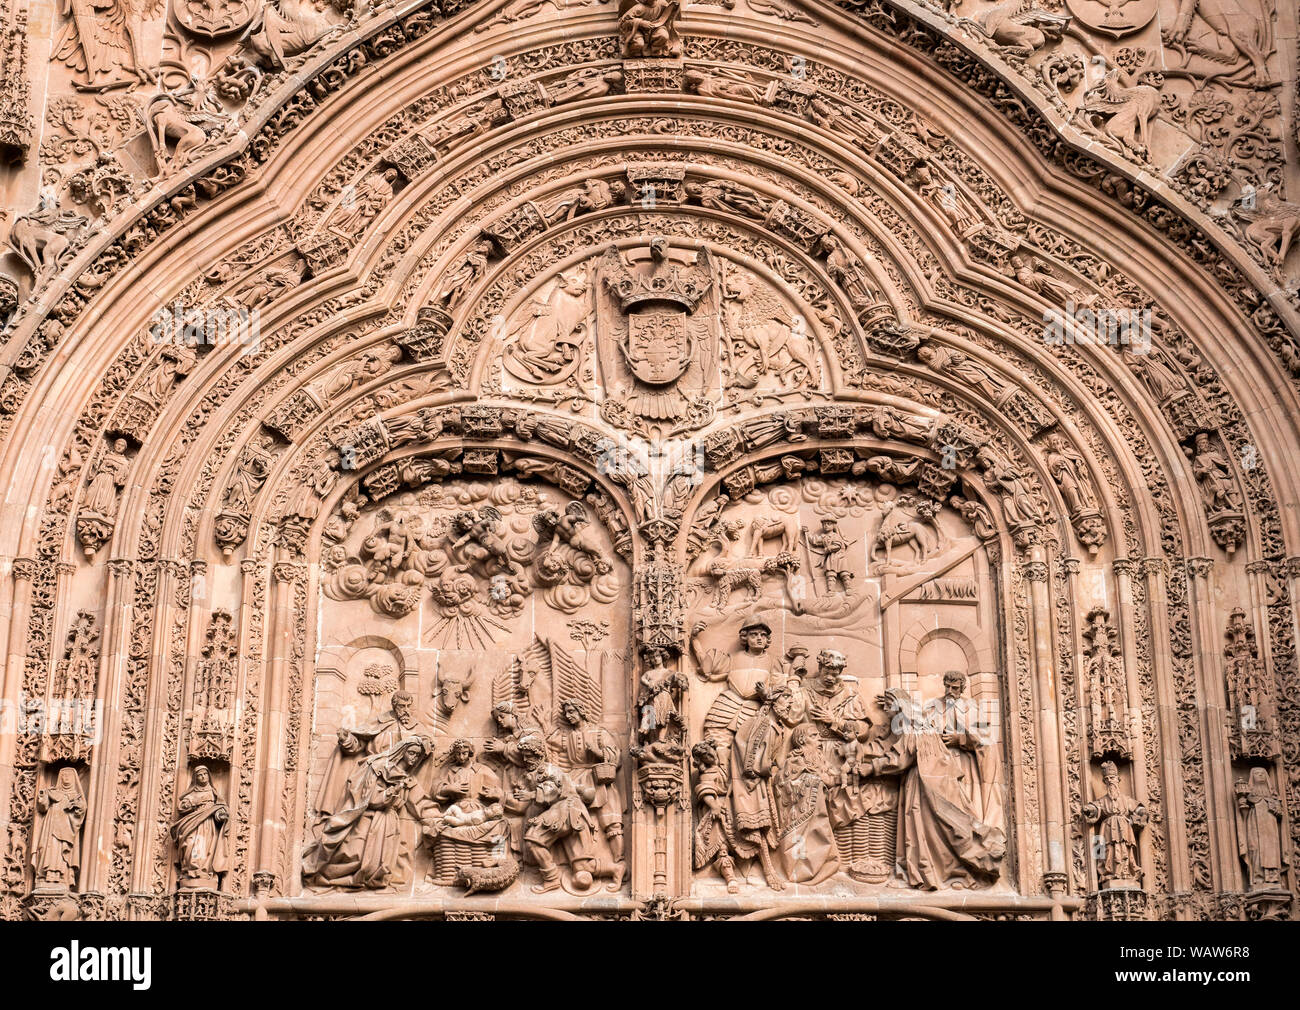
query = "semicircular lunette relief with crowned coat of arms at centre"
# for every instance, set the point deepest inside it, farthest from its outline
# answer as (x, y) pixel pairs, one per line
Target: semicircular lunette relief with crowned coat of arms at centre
(660, 337)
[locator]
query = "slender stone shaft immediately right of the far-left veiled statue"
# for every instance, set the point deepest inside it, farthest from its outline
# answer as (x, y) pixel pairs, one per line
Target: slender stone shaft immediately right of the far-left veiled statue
(101, 820)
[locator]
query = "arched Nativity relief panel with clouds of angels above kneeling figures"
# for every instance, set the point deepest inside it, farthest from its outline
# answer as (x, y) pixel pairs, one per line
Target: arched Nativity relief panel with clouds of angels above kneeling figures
(475, 727)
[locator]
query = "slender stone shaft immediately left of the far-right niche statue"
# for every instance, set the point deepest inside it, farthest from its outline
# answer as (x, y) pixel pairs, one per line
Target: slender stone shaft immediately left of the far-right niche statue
(1220, 810)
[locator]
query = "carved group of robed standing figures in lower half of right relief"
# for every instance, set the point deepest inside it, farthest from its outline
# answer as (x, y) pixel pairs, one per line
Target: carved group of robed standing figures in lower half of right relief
(796, 774)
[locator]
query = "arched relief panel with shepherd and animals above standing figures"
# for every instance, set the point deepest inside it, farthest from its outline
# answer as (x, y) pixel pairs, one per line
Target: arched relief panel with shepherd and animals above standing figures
(846, 729)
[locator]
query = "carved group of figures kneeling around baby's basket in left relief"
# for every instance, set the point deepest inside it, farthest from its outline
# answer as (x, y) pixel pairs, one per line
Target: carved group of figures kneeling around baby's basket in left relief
(528, 797)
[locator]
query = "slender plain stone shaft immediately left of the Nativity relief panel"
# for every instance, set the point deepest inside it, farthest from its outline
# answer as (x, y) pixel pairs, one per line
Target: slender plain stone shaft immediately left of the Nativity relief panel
(271, 752)
